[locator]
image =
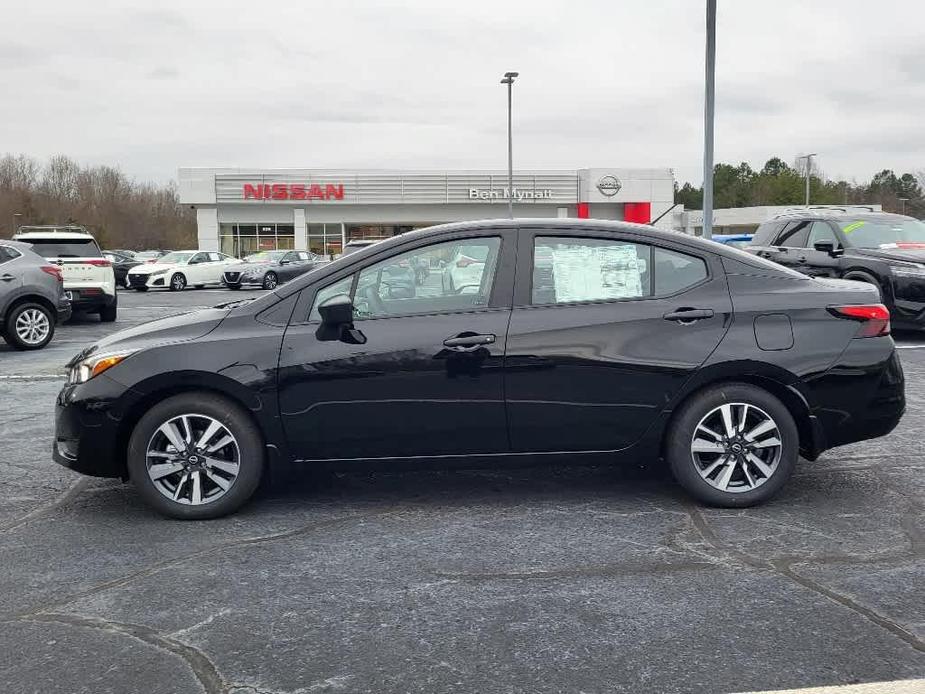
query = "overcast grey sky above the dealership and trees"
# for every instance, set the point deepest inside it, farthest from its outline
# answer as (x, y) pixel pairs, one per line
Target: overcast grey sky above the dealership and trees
(156, 85)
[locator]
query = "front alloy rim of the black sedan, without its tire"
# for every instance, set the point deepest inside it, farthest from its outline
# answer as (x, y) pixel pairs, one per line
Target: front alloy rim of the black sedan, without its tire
(193, 459)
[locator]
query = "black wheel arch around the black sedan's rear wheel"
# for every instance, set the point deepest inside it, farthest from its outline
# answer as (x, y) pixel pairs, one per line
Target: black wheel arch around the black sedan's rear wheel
(777, 381)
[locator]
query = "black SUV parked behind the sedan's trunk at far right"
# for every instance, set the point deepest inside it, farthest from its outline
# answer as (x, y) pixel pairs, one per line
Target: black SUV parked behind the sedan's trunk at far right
(885, 250)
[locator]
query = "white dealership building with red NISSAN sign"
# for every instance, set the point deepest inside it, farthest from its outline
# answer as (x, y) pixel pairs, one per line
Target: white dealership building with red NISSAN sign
(240, 211)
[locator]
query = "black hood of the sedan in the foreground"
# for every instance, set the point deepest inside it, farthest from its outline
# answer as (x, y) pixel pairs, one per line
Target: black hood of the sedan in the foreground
(179, 328)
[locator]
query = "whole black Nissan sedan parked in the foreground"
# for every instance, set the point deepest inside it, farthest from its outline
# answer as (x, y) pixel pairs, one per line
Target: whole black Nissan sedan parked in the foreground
(574, 341)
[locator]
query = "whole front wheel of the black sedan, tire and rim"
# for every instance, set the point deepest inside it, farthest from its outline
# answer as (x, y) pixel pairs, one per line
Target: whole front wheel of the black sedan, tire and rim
(196, 456)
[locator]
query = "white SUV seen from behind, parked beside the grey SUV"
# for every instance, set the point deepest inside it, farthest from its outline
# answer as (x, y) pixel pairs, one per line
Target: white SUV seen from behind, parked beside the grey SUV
(89, 280)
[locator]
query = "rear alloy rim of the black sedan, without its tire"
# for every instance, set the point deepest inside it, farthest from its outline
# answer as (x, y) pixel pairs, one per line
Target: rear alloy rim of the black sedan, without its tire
(736, 447)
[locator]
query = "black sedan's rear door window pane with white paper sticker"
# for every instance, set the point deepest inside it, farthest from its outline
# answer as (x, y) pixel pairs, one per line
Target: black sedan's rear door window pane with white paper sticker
(567, 270)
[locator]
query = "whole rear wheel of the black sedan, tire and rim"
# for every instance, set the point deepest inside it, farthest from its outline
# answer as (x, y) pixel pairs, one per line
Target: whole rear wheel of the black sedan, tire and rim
(732, 445)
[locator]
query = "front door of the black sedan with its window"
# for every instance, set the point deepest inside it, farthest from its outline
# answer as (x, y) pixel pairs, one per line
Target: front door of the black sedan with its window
(427, 378)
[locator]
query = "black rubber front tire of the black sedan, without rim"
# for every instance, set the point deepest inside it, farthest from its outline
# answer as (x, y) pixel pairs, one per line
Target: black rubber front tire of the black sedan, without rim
(238, 423)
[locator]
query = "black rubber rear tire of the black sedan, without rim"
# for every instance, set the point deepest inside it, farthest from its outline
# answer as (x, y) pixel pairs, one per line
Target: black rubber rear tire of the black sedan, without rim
(680, 434)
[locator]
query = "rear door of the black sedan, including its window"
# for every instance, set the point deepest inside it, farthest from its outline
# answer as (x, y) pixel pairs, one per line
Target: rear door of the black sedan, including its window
(605, 330)
